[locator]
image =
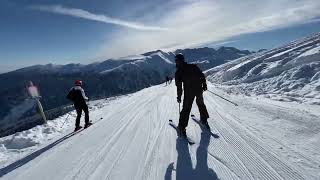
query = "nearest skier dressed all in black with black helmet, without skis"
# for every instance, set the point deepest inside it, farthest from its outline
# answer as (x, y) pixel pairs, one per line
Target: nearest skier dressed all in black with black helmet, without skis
(194, 83)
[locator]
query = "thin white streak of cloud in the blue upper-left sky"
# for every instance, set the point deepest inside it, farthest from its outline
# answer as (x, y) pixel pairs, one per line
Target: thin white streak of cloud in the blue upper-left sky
(80, 13)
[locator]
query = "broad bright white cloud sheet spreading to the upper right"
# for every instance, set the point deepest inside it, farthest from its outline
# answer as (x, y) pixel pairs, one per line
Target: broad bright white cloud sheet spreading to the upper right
(195, 23)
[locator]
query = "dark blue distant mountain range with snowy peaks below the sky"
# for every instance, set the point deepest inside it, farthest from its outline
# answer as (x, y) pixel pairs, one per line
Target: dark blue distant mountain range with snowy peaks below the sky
(101, 79)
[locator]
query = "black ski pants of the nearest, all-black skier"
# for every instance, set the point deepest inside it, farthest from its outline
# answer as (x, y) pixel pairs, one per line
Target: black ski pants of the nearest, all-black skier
(187, 105)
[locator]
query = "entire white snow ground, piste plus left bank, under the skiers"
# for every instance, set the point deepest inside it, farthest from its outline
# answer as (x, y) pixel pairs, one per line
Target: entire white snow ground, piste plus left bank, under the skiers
(259, 139)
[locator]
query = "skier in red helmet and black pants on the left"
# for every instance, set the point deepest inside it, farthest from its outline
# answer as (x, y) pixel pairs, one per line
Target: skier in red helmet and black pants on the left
(79, 98)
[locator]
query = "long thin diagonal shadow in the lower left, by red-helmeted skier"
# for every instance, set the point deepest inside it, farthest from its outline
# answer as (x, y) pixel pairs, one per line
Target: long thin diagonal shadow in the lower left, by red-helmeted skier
(30, 157)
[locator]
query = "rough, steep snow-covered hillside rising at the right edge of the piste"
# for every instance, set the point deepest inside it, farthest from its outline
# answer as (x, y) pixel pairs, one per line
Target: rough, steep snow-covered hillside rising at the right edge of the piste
(288, 73)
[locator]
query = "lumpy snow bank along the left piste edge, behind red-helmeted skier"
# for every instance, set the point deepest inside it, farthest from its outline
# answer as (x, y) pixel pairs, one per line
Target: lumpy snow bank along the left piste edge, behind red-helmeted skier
(20, 144)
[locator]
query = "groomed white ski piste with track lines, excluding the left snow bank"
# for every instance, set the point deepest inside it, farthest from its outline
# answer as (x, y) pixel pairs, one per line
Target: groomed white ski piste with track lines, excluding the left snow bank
(134, 141)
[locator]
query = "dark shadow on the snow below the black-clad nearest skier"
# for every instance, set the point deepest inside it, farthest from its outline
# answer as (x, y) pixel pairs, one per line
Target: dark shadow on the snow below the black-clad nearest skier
(184, 169)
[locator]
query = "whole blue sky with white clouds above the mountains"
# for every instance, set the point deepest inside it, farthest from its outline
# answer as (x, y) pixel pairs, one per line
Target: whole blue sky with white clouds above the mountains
(82, 31)
